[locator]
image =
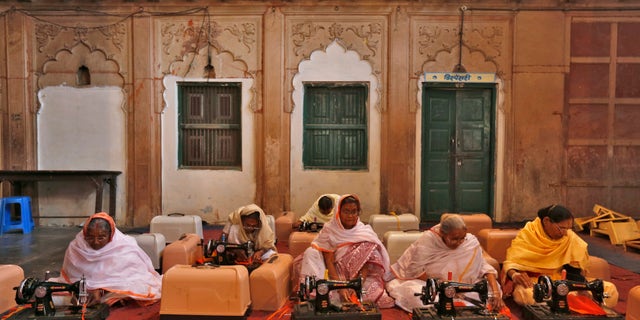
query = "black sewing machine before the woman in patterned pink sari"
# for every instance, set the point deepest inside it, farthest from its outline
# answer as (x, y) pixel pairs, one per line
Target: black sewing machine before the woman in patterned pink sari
(320, 306)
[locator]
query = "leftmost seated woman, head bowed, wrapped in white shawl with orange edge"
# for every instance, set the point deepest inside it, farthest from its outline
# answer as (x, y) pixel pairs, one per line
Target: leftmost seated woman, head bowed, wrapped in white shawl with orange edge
(115, 267)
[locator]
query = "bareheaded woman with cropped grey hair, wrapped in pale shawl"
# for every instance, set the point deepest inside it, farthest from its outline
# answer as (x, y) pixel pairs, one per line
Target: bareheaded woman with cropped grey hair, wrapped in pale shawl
(443, 249)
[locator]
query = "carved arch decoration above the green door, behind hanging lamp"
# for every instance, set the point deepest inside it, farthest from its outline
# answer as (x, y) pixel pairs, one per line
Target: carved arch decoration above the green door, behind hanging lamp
(486, 48)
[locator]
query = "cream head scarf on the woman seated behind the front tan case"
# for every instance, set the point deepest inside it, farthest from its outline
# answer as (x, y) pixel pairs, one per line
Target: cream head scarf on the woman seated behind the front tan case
(265, 239)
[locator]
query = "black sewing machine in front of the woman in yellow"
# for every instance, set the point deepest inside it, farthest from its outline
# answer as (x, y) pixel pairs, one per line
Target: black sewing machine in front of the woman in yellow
(551, 296)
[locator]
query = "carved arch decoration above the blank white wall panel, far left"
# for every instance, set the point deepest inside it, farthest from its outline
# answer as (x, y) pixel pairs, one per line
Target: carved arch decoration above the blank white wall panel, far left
(61, 50)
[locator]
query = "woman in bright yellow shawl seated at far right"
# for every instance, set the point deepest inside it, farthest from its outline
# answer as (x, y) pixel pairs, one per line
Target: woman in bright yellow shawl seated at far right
(547, 246)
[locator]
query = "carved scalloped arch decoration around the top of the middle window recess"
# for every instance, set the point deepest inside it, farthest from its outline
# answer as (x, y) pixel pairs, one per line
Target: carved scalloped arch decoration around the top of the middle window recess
(365, 36)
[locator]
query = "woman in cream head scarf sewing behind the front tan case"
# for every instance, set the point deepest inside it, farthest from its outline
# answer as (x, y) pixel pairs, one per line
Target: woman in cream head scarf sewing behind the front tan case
(249, 223)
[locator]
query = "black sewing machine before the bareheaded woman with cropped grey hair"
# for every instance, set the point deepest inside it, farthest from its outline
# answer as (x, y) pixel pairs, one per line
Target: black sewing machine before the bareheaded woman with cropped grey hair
(444, 308)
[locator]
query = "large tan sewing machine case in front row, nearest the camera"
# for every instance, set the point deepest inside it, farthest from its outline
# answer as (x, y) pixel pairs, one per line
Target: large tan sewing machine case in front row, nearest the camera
(205, 292)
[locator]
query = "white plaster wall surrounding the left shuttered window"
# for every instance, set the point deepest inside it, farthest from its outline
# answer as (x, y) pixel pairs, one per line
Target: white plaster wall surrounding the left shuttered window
(211, 194)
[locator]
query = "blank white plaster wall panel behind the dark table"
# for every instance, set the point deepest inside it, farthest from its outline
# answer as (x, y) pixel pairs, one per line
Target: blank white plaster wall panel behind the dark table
(79, 129)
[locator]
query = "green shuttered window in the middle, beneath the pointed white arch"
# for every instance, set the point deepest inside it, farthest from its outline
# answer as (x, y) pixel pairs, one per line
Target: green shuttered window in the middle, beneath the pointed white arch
(335, 126)
